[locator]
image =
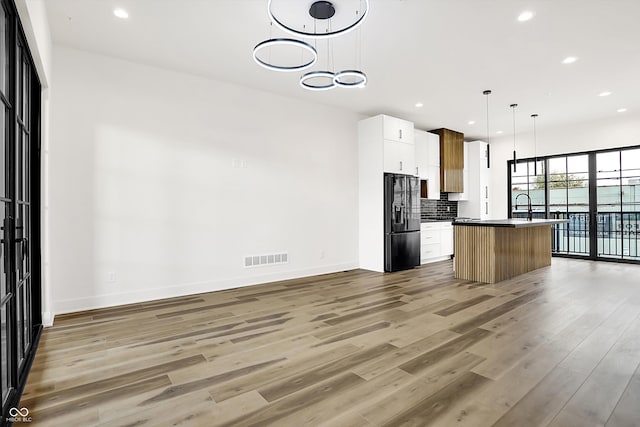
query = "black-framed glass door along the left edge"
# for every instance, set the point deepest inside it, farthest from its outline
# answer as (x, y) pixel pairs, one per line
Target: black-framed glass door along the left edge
(14, 37)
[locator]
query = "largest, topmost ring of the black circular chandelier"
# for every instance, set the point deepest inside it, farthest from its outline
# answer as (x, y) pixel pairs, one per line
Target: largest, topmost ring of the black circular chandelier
(322, 10)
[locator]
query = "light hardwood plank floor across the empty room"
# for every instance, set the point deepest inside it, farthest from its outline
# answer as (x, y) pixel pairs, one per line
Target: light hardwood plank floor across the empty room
(558, 346)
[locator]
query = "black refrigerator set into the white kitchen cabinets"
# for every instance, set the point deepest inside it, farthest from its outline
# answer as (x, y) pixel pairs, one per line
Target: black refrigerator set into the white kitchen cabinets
(401, 222)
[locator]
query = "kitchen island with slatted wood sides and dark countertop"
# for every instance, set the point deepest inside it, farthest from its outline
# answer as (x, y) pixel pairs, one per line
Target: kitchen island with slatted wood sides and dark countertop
(493, 250)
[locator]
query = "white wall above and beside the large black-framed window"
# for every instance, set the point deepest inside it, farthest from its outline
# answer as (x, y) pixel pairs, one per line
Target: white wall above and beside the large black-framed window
(619, 131)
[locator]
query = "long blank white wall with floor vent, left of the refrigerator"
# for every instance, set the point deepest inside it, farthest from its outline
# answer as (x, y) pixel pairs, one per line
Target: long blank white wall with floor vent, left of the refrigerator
(143, 183)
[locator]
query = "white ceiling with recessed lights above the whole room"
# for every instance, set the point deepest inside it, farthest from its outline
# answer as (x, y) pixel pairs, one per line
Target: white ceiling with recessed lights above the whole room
(442, 53)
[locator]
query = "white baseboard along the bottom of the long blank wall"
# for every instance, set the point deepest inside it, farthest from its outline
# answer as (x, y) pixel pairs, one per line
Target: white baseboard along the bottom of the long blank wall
(111, 300)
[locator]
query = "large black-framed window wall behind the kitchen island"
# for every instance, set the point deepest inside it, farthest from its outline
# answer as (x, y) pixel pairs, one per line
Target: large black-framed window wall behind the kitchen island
(597, 192)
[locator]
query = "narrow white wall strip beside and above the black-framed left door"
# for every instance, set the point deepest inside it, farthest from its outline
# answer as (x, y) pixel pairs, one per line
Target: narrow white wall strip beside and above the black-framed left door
(33, 15)
